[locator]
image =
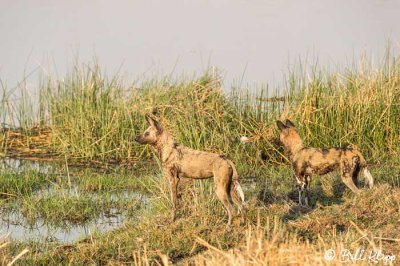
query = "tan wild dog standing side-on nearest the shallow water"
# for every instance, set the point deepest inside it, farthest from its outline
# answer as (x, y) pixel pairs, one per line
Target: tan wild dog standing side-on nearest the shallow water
(178, 161)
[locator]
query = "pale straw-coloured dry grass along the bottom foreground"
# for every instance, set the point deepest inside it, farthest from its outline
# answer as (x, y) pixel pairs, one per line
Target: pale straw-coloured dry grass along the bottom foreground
(277, 247)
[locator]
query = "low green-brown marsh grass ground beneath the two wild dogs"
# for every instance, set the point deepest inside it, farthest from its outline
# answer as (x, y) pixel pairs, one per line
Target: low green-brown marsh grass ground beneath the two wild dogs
(269, 201)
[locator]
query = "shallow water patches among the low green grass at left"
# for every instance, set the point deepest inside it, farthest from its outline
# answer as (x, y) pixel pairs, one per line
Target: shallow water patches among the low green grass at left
(16, 227)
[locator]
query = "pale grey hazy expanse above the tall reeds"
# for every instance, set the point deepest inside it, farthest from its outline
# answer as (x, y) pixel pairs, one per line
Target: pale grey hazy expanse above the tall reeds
(253, 38)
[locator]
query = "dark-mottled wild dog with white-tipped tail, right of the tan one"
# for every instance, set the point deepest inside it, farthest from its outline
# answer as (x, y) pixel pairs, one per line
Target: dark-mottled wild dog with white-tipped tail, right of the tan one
(314, 161)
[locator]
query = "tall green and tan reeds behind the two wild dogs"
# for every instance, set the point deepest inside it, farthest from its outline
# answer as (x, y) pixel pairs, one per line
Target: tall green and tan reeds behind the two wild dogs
(94, 117)
